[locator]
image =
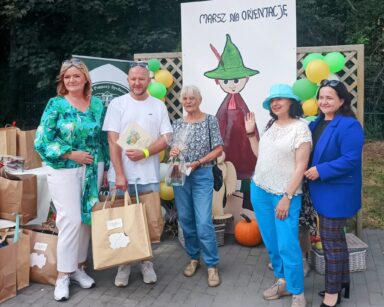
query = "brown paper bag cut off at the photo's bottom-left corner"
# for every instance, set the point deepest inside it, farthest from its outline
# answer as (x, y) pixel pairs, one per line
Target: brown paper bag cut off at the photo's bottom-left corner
(7, 270)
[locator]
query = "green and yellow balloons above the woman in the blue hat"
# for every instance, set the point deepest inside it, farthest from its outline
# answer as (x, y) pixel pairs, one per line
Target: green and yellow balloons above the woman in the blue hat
(317, 68)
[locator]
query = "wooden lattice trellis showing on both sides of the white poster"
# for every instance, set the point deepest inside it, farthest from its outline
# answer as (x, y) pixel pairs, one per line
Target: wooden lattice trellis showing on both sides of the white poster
(352, 75)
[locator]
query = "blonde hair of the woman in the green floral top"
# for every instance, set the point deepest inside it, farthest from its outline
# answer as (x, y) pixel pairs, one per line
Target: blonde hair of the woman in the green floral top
(73, 62)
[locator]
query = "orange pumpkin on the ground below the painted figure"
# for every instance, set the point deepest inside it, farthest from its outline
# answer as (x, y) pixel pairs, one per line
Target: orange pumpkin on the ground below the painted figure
(247, 232)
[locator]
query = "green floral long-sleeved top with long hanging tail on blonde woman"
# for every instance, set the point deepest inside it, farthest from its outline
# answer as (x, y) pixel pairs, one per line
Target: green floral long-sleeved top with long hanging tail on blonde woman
(63, 129)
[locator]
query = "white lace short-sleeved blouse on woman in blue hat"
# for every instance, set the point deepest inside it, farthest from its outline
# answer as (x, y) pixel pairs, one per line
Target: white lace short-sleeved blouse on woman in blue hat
(276, 158)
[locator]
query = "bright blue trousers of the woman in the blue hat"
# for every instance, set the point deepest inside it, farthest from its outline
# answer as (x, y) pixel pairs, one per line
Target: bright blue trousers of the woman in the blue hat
(281, 237)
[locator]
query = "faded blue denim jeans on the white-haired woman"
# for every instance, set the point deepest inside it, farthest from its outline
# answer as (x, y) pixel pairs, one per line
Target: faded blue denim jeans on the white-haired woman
(194, 208)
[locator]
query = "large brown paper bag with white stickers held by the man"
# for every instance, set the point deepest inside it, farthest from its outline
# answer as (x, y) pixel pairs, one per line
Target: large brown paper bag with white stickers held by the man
(119, 234)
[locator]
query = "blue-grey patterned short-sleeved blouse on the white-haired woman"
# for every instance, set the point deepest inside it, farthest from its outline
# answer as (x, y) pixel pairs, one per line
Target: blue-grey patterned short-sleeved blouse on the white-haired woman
(195, 140)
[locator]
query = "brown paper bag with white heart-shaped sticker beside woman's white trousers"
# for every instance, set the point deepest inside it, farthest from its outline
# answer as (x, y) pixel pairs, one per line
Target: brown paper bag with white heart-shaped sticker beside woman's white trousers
(43, 256)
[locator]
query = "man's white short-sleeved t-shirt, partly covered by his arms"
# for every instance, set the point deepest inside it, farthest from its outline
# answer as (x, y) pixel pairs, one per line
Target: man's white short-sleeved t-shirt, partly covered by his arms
(152, 115)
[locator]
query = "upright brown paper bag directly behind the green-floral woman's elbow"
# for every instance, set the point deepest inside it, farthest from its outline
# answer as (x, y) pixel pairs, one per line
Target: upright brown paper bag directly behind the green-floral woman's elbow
(25, 148)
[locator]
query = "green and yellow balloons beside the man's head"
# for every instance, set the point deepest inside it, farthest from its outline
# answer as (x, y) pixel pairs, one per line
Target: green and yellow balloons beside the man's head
(163, 79)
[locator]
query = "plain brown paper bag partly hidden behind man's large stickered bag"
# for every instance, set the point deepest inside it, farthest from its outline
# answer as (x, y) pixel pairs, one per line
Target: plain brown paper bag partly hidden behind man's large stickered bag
(154, 216)
